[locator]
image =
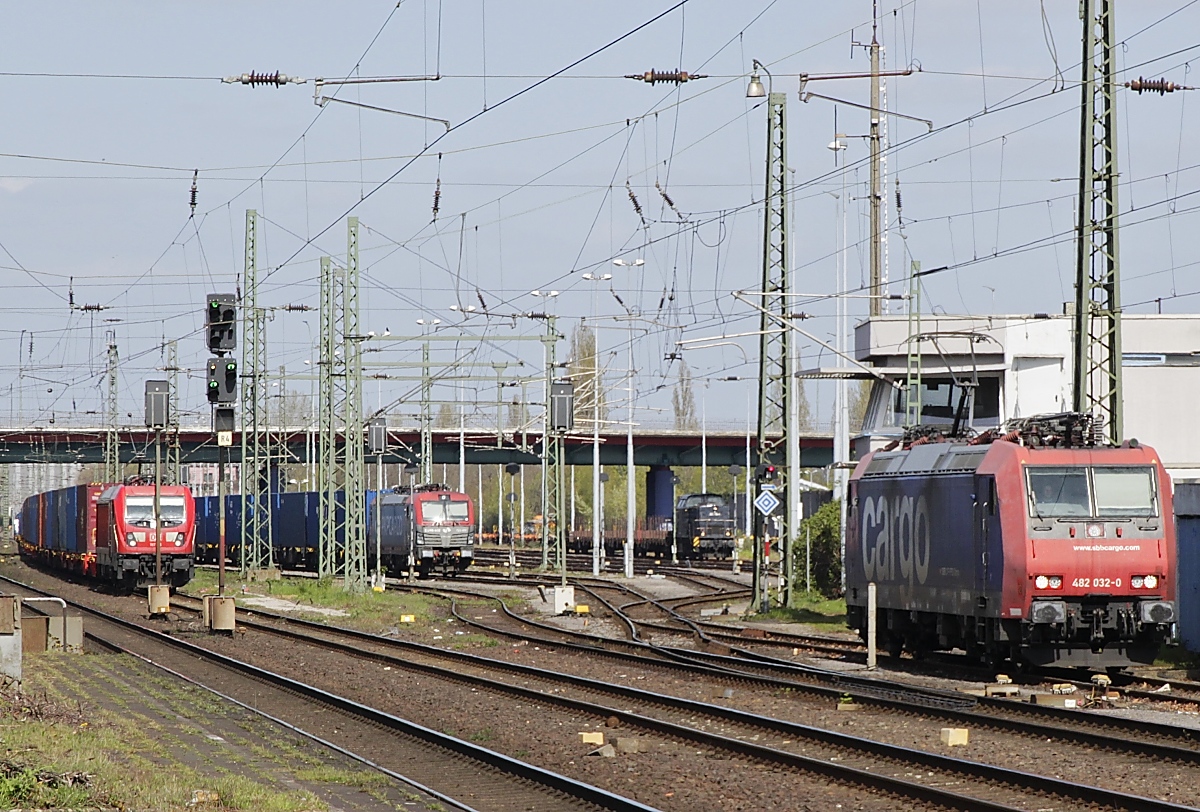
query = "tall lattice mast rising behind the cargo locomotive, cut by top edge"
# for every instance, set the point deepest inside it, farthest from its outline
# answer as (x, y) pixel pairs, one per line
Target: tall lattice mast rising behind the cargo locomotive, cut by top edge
(1097, 332)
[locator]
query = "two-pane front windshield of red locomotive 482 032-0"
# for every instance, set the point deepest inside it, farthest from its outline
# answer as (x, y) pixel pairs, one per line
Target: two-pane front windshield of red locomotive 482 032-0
(1093, 492)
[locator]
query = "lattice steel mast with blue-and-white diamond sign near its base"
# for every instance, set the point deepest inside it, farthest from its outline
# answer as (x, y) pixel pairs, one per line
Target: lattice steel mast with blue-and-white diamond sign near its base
(776, 340)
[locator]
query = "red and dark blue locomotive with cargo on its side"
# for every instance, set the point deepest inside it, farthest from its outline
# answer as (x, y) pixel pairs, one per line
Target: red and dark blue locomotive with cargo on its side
(1037, 548)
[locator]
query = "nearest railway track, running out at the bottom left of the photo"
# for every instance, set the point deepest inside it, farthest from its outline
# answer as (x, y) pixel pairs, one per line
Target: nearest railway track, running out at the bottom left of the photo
(452, 771)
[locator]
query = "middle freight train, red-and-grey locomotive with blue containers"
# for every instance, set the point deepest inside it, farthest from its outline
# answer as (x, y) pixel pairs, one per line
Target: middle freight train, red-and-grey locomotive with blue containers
(440, 521)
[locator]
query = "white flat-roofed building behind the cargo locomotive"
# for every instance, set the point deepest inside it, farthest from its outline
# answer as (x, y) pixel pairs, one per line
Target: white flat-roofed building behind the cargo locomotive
(1023, 366)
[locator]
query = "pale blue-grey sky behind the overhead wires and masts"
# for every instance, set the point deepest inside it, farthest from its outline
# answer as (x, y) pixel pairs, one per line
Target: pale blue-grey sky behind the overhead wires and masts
(95, 172)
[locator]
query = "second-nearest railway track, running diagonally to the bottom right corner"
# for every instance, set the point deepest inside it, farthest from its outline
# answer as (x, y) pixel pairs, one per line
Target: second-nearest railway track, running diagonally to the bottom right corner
(737, 733)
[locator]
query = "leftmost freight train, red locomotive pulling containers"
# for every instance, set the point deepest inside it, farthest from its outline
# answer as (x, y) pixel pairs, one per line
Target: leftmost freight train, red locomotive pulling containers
(109, 533)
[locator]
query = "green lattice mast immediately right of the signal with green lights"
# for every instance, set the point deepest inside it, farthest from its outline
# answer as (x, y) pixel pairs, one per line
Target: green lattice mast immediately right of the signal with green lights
(256, 456)
